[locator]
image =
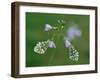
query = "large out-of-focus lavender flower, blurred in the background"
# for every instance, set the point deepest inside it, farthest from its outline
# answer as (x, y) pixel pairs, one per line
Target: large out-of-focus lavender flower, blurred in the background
(73, 32)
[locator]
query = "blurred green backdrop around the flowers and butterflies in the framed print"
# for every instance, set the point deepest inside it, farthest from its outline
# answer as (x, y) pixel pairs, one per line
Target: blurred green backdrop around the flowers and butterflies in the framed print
(35, 24)
